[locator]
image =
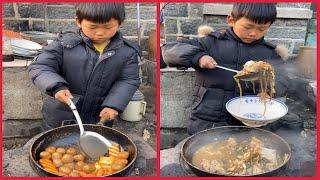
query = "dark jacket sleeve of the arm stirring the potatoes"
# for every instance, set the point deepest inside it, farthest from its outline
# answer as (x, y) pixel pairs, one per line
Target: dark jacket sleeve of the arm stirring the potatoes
(44, 70)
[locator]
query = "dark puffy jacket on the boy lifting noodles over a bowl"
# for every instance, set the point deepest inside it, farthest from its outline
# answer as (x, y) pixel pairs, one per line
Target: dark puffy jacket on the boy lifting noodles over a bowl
(214, 87)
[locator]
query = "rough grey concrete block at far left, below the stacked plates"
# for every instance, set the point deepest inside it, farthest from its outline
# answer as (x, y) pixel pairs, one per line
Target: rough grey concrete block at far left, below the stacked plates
(21, 99)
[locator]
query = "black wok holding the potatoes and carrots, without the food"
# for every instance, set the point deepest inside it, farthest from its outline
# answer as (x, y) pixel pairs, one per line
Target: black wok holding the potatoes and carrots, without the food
(69, 136)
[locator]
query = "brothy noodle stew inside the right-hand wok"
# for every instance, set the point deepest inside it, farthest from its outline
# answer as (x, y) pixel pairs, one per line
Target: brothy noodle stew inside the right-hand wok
(233, 157)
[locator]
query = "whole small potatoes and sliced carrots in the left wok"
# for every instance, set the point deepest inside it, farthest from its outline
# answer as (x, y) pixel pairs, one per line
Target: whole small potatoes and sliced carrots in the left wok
(70, 162)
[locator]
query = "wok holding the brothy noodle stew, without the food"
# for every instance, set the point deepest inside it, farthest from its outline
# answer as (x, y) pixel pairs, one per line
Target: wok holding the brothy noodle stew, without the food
(196, 141)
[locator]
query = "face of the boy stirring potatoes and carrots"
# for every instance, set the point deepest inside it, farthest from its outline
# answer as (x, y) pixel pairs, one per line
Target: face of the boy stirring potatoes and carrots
(99, 32)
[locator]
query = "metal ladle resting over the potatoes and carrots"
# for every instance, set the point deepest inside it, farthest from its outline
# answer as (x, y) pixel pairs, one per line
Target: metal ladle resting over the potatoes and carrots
(91, 143)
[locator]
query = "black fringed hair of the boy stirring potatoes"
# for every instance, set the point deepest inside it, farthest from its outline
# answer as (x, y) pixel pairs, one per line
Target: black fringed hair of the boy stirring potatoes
(100, 12)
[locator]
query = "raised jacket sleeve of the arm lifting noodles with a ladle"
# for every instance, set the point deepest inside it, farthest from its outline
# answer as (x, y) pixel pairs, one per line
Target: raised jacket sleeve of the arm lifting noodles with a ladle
(184, 53)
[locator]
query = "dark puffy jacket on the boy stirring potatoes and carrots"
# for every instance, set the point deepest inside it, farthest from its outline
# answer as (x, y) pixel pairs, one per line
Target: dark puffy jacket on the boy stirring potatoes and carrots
(96, 81)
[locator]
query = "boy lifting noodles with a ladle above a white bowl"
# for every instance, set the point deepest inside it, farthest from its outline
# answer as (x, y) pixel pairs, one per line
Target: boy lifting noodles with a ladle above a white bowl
(243, 41)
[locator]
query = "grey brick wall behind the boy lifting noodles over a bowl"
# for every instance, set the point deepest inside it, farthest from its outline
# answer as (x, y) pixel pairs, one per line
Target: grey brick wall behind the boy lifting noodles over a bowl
(183, 19)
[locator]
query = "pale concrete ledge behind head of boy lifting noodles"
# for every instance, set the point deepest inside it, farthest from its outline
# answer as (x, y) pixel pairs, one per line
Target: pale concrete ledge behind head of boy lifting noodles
(282, 12)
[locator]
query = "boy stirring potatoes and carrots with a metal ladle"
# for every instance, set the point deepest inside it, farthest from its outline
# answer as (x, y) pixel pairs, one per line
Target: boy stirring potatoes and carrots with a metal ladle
(95, 66)
